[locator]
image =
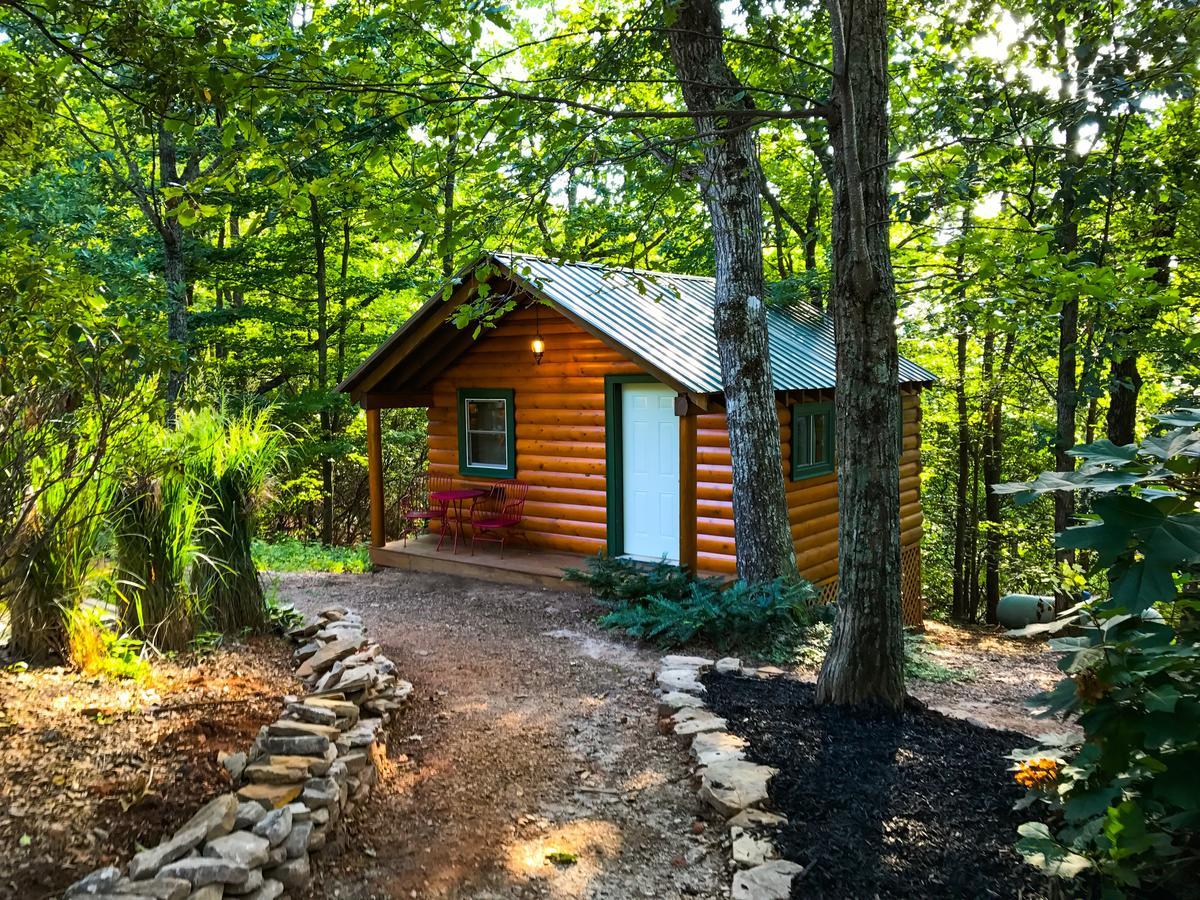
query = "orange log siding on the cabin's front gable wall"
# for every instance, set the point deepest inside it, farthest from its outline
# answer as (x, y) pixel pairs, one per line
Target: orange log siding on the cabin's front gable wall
(560, 421)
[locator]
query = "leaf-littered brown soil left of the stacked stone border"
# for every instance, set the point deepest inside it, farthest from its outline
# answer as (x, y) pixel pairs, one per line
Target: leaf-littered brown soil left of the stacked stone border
(93, 767)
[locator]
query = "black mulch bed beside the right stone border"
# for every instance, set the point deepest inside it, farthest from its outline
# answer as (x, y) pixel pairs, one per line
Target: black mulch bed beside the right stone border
(917, 807)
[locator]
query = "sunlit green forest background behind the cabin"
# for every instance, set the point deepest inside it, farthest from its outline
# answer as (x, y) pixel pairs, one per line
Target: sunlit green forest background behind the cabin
(207, 203)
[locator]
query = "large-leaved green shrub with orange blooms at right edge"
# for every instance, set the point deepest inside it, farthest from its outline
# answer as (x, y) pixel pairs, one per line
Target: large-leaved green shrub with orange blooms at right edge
(1124, 803)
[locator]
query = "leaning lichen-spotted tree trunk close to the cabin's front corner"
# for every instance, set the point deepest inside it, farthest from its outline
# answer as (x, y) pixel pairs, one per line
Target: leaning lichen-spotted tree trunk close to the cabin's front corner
(730, 185)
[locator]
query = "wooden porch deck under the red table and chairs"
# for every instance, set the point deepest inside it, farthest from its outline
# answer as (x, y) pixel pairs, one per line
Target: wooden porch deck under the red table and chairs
(519, 566)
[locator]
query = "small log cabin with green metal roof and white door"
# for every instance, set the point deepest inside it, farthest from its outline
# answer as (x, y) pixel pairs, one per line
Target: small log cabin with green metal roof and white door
(601, 388)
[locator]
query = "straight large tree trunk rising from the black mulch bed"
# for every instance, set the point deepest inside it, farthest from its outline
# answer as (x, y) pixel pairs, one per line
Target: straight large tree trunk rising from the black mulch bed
(866, 662)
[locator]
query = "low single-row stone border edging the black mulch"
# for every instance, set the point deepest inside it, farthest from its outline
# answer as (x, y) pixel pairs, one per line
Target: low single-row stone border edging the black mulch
(729, 784)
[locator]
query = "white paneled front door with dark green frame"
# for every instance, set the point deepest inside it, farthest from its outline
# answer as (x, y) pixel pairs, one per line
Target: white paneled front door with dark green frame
(651, 475)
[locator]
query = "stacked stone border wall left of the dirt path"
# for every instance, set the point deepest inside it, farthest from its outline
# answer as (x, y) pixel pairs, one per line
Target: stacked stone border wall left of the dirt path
(303, 773)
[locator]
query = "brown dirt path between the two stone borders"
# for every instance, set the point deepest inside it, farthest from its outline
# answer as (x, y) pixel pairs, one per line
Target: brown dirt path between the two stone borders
(530, 734)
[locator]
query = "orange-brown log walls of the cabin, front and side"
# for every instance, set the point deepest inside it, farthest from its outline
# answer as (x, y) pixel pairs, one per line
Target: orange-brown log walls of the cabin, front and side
(561, 451)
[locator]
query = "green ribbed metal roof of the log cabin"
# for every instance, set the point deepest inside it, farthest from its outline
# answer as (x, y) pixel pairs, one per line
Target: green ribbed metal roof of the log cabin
(668, 320)
